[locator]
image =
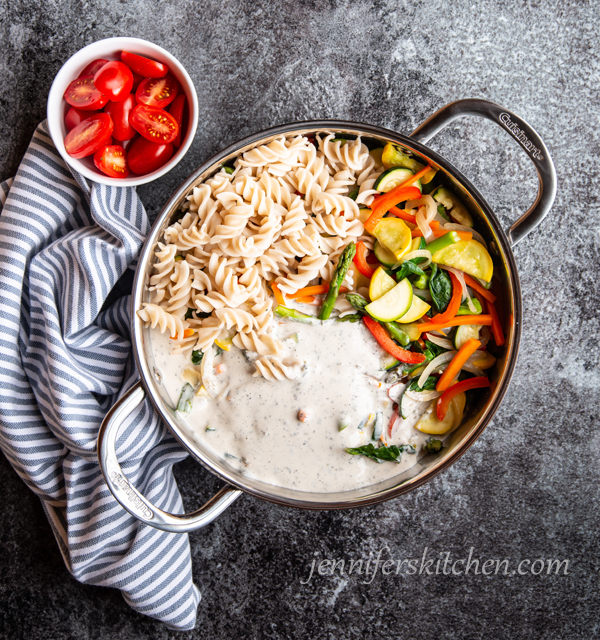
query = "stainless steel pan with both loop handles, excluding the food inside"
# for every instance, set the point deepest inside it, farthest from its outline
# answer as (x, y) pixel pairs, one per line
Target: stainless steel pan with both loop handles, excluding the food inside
(500, 242)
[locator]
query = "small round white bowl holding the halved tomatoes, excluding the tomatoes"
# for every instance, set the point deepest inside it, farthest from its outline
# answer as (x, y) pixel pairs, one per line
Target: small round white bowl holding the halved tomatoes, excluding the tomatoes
(110, 49)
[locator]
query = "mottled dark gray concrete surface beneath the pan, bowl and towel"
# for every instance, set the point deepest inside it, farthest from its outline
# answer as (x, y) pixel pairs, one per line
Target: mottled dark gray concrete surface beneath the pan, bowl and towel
(528, 489)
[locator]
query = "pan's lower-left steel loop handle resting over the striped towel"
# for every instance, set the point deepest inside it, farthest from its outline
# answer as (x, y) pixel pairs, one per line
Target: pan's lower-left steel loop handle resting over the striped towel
(129, 497)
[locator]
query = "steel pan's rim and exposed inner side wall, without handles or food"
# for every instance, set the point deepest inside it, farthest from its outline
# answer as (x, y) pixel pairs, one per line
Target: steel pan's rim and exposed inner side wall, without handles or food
(427, 466)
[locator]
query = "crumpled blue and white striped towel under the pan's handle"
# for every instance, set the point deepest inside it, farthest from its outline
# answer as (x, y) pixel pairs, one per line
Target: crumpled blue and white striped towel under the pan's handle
(64, 362)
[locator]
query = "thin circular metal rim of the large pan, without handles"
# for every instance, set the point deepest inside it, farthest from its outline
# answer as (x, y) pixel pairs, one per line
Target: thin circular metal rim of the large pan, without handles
(354, 497)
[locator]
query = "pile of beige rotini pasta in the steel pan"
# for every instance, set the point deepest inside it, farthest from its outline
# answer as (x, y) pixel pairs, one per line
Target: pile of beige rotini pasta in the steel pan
(281, 215)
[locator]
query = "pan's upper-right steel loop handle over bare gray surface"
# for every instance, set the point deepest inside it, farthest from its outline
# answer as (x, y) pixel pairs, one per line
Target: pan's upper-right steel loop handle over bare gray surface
(524, 134)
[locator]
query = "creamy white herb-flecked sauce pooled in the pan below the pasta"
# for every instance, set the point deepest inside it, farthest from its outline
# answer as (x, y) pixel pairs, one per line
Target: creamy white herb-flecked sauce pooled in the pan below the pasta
(253, 423)
